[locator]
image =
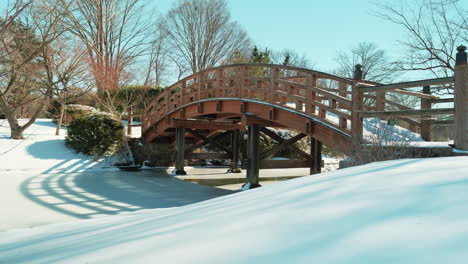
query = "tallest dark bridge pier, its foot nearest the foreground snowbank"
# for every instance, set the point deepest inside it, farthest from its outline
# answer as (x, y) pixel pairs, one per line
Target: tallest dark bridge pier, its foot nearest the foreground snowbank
(253, 158)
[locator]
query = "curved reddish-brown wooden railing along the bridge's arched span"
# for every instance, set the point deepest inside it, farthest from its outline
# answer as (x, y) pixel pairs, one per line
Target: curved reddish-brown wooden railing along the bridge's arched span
(318, 95)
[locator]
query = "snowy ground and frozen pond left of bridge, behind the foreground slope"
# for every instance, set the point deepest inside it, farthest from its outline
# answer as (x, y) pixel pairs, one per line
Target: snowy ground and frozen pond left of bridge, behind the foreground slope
(43, 182)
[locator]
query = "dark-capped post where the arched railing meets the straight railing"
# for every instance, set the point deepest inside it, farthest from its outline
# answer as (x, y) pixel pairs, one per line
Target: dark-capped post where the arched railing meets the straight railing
(357, 100)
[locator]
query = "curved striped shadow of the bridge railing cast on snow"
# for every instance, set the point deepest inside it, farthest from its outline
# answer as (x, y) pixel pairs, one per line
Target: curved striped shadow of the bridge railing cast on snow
(89, 194)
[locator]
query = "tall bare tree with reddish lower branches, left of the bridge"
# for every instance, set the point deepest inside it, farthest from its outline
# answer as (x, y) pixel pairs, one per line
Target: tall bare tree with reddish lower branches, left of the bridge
(114, 34)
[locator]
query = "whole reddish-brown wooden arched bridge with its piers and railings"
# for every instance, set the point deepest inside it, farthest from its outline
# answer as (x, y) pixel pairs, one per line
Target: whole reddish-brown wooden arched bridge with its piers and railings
(328, 108)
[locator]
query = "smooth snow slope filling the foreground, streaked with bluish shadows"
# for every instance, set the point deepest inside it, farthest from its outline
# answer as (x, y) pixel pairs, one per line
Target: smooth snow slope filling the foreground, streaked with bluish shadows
(404, 211)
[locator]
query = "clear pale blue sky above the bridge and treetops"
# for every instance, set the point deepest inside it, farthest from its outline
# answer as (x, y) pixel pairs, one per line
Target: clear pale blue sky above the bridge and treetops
(318, 29)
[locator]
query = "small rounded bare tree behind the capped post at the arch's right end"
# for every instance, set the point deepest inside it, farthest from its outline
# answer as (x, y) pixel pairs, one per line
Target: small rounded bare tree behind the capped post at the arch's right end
(375, 64)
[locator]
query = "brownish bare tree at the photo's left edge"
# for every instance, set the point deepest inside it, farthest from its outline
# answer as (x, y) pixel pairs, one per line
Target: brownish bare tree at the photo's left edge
(24, 77)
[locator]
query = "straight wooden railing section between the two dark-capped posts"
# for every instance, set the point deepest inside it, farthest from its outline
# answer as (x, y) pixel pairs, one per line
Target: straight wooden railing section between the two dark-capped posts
(377, 102)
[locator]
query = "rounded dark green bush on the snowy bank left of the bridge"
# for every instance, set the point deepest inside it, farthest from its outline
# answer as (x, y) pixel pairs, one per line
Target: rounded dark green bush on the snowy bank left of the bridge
(96, 134)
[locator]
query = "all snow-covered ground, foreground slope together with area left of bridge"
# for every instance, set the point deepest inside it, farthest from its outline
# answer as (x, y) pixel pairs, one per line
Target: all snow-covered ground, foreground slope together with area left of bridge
(404, 211)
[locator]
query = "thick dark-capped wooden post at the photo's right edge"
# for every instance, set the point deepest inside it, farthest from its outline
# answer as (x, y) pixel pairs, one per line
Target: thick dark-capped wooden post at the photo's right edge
(461, 99)
